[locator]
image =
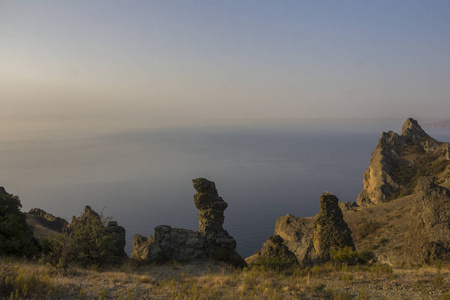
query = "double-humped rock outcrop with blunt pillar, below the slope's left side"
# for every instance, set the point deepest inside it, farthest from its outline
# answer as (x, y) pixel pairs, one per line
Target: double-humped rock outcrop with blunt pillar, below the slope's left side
(311, 240)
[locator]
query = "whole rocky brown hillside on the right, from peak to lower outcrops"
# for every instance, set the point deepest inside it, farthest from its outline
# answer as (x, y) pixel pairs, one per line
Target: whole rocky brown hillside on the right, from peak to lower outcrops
(412, 168)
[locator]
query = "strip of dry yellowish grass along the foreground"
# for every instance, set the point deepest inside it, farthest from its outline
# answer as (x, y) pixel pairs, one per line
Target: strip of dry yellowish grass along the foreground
(36, 281)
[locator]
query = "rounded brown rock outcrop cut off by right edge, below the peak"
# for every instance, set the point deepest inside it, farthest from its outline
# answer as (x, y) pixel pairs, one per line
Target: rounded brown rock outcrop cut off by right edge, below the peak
(430, 223)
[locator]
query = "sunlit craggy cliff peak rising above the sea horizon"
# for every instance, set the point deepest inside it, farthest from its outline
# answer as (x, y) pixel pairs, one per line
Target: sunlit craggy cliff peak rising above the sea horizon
(399, 160)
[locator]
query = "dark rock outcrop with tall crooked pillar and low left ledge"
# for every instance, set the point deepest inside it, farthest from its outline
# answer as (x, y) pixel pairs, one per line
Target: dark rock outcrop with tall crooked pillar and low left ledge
(210, 241)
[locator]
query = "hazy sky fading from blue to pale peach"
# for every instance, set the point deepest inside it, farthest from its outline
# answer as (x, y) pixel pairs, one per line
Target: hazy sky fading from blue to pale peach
(159, 62)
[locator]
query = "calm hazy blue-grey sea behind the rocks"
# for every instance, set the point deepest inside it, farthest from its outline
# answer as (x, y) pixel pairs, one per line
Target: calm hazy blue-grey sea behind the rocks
(142, 178)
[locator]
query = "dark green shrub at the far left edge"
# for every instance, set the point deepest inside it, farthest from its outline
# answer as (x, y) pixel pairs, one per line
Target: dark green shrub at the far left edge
(14, 239)
